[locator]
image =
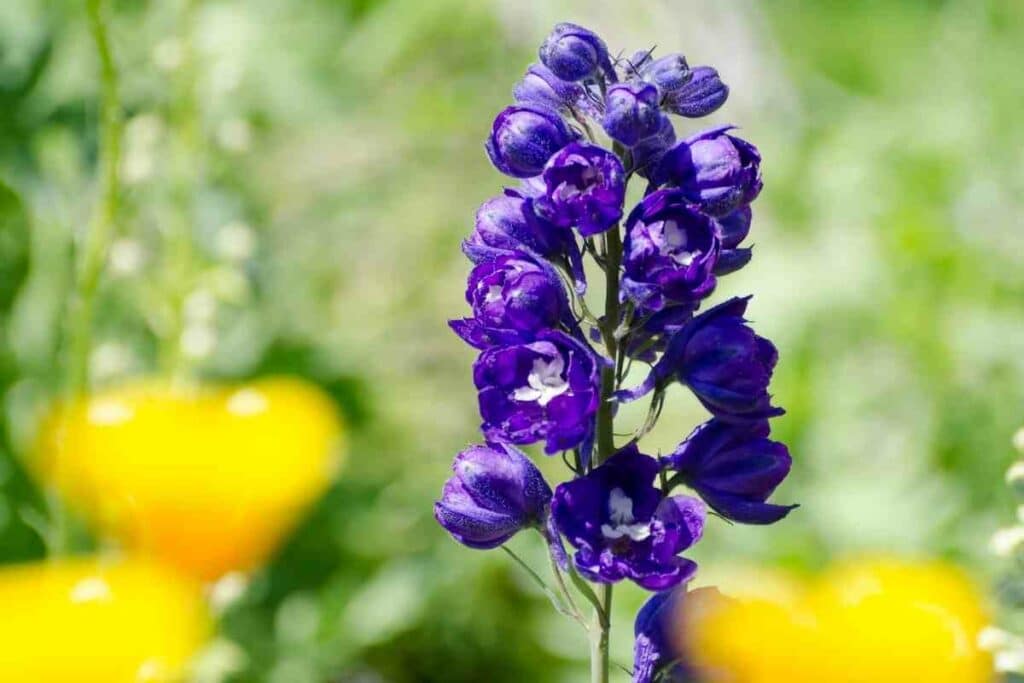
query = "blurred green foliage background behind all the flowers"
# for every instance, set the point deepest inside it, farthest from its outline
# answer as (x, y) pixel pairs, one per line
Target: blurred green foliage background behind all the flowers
(326, 157)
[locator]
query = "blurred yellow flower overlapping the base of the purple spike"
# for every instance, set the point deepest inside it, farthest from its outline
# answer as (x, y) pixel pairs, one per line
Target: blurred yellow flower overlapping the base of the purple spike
(867, 622)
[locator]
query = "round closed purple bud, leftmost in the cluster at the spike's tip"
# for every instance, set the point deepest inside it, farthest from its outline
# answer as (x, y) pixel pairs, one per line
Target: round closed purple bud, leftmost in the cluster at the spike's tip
(524, 139)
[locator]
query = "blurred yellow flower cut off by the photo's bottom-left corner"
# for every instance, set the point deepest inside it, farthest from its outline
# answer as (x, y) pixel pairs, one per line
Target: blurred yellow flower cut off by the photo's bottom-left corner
(94, 622)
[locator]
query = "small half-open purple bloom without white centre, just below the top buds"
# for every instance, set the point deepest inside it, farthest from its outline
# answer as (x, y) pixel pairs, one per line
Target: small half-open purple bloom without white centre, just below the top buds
(585, 187)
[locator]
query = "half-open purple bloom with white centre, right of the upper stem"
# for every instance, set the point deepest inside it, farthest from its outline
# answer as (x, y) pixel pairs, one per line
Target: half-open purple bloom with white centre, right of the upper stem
(670, 252)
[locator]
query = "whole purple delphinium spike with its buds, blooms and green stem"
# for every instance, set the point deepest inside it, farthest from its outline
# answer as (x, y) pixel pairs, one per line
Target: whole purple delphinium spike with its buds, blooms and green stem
(553, 366)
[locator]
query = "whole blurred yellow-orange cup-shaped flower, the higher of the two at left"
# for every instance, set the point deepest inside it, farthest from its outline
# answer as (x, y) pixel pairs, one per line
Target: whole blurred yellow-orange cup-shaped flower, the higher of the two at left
(207, 480)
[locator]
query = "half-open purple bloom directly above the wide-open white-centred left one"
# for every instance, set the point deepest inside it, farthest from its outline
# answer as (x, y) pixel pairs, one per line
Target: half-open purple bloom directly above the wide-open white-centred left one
(514, 297)
